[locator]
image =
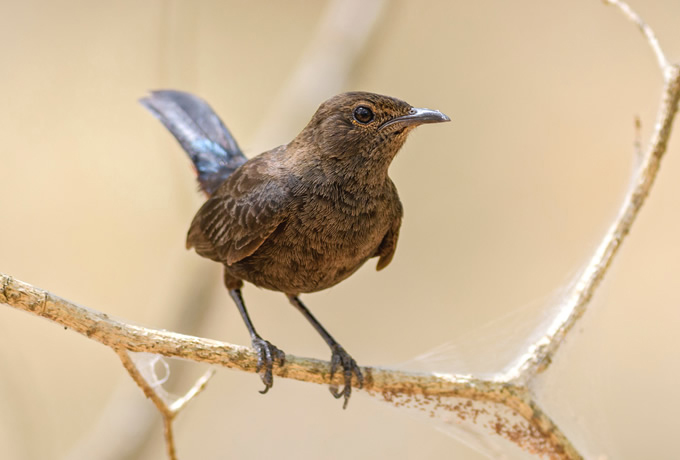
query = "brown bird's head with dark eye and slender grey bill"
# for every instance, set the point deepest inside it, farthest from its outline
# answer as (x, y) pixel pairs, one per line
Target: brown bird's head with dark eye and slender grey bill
(360, 127)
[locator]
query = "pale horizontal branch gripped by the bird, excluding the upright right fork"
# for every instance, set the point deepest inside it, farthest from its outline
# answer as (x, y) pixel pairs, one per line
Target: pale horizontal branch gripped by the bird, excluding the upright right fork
(467, 398)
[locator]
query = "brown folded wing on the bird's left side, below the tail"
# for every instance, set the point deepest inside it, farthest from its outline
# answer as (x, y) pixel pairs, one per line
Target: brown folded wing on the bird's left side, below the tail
(242, 213)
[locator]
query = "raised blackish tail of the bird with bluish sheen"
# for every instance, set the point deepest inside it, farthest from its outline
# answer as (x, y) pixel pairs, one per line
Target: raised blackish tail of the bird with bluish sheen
(211, 147)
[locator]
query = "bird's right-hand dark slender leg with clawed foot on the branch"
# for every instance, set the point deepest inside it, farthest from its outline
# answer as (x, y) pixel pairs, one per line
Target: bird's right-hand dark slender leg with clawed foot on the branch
(339, 358)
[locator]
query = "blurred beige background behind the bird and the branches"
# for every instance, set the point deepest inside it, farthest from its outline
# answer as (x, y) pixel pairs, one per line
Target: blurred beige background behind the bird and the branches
(503, 206)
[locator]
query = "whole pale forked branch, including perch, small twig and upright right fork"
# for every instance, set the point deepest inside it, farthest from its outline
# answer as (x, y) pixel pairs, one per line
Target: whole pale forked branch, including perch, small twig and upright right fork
(501, 406)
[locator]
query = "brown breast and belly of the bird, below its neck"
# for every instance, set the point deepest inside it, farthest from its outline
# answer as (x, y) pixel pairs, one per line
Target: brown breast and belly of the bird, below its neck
(324, 240)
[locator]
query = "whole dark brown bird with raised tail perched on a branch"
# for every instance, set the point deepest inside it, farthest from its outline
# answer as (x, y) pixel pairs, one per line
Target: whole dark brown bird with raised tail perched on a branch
(301, 217)
